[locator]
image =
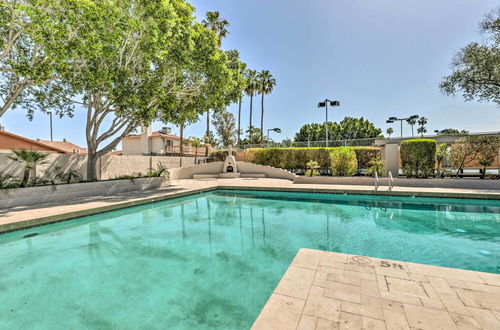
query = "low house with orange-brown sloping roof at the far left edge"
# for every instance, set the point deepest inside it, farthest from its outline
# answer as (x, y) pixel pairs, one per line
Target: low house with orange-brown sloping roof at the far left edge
(10, 141)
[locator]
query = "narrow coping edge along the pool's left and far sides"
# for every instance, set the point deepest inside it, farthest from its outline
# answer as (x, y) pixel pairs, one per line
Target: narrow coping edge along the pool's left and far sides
(63, 216)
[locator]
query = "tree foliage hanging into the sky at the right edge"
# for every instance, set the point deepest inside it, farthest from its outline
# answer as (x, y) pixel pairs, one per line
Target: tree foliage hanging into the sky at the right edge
(476, 67)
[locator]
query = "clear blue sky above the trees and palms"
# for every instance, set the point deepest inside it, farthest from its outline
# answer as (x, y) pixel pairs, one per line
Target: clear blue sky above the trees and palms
(378, 58)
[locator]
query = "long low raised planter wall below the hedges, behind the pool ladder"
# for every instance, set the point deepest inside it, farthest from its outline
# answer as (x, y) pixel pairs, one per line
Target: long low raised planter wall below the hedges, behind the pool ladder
(451, 183)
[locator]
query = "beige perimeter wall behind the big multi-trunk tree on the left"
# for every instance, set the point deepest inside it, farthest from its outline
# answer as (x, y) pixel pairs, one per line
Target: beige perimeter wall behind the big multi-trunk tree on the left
(108, 167)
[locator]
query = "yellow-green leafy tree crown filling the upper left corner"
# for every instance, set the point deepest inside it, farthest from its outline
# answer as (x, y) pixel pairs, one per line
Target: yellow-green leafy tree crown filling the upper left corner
(37, 39)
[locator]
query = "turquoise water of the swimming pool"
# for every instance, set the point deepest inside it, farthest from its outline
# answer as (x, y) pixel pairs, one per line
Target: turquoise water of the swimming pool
(211, 260)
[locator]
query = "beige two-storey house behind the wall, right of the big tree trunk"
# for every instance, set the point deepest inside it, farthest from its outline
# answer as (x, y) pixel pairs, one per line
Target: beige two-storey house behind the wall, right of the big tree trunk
(158, 143)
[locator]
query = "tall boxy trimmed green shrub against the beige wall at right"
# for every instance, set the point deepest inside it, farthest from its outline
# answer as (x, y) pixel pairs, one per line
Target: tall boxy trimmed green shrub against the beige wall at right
(418, 157)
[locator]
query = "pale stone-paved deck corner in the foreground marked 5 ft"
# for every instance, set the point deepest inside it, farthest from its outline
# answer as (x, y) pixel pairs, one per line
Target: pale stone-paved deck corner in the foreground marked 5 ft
(326, 290)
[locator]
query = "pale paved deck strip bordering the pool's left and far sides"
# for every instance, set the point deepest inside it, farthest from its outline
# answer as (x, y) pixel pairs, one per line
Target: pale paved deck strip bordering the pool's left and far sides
(16, 218)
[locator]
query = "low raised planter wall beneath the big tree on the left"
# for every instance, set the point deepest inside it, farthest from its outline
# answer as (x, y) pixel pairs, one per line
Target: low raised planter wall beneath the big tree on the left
(71, 192)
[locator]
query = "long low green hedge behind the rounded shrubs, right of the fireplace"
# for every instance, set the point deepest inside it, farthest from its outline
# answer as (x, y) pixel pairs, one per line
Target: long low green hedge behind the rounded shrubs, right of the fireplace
(297, 158)
